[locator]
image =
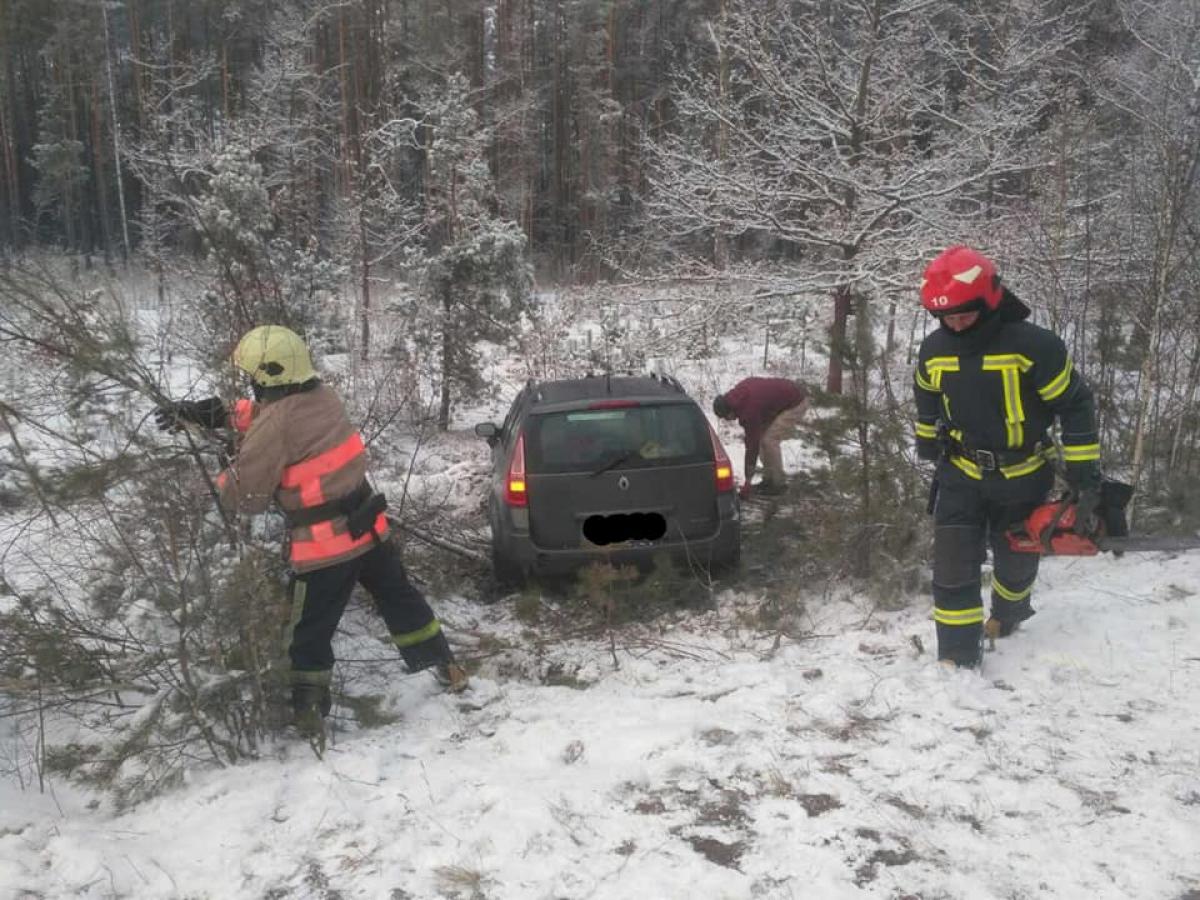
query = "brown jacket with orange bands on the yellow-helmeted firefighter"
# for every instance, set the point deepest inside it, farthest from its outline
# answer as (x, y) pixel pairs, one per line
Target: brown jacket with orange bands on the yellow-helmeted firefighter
(302, 451)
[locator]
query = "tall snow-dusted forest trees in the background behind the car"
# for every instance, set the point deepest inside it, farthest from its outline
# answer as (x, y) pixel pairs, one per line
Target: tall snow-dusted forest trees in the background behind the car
(279, 155)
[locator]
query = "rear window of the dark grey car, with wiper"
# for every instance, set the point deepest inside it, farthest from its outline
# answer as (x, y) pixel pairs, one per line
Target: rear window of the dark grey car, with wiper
(621, 439)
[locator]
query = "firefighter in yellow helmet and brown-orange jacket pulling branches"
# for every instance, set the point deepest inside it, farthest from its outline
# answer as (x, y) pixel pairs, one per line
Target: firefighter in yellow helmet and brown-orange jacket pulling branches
(299, 449)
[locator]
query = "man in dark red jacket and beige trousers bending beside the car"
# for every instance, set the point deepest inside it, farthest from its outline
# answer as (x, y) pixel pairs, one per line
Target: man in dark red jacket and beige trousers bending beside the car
(770, 411)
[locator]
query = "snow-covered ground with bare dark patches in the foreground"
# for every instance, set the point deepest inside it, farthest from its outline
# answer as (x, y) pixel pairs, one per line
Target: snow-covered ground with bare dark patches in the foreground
(701, 759)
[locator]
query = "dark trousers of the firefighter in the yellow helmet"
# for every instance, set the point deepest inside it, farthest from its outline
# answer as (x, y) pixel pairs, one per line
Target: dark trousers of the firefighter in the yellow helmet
(320, 598)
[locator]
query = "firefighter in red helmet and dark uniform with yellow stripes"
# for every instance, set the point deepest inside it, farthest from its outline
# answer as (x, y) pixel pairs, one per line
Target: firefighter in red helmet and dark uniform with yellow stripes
(989, 386)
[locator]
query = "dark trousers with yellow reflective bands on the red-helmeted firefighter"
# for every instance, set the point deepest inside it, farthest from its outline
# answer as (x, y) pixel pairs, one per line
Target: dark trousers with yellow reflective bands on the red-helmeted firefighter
(970, 515)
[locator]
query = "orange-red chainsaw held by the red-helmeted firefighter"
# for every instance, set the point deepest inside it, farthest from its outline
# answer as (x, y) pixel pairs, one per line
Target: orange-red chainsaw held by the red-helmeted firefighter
(1052, 530)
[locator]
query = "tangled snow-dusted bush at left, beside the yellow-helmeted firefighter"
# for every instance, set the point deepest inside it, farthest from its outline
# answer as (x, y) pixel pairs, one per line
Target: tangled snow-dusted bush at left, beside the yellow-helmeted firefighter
(139, 629)
